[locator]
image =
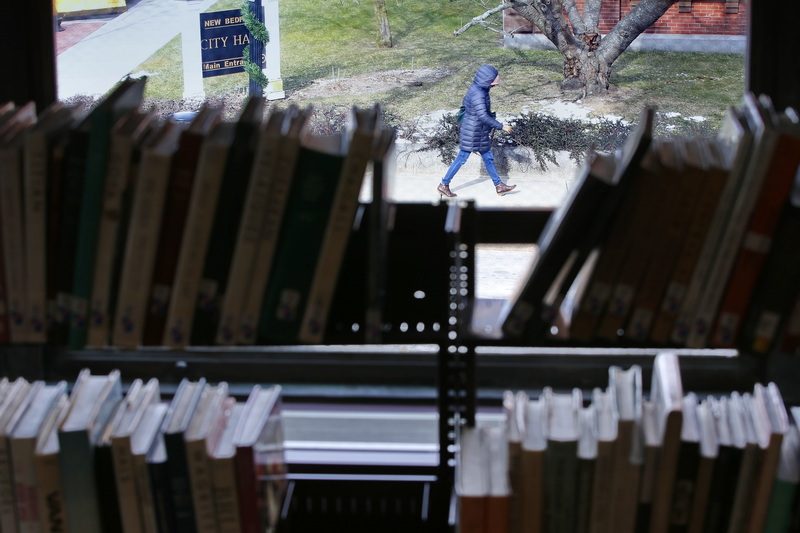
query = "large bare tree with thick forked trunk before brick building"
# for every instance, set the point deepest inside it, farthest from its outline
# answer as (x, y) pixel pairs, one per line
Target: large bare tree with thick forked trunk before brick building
(588, 56)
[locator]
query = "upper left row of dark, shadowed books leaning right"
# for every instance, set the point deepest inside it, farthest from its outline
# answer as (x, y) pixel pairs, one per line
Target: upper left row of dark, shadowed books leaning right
(121, 228)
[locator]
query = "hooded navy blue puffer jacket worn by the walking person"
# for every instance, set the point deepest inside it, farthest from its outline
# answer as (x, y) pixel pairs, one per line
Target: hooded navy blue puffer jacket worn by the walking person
(478, 123)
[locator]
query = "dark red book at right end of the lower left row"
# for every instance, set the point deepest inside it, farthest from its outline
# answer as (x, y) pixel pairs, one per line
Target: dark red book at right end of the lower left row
(260, 461)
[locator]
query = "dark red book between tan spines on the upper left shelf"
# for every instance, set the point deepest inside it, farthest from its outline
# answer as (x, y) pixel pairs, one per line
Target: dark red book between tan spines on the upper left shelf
(176, 206)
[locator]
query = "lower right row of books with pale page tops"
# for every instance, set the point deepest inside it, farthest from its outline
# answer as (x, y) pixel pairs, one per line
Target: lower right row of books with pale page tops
(623, 462)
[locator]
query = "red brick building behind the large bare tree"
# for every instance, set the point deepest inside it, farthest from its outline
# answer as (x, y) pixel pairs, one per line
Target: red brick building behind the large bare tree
(689, 26)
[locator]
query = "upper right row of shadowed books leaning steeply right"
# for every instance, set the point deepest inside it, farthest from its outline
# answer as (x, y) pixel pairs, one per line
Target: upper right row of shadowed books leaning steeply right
(686, 242)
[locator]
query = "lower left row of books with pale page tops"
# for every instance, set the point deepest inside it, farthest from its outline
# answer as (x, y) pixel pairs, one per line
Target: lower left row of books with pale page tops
(95, 458)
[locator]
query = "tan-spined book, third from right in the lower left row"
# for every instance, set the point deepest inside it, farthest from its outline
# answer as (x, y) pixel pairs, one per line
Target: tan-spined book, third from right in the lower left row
(202, 435)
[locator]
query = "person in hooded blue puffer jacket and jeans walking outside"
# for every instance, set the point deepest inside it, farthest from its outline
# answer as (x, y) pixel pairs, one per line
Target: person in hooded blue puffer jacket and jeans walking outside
(476, 126)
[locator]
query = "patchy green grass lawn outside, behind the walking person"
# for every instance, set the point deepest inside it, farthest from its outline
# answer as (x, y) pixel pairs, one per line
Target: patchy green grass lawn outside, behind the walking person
(327, 40)
